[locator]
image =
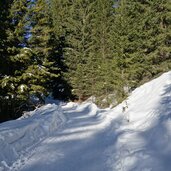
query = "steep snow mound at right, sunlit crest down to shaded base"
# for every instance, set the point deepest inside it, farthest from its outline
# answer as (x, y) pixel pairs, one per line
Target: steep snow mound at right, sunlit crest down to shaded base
(145, 133)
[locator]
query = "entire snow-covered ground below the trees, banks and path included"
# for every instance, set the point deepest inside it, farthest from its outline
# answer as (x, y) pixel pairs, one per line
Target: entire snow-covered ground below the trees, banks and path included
(74, 137)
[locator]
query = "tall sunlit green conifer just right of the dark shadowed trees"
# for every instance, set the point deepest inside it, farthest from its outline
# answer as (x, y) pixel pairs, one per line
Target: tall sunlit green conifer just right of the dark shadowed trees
(74, 21)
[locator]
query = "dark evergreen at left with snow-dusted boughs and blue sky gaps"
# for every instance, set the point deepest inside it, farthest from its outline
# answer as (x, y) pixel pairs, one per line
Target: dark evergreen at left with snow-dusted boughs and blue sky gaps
(30, 56)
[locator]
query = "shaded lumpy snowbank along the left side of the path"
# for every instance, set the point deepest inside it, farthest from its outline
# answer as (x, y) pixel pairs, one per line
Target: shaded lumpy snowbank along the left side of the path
(19, 136)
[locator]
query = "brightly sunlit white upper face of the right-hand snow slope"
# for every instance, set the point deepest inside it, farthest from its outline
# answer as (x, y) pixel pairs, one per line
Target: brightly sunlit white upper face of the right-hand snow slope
(146, 100)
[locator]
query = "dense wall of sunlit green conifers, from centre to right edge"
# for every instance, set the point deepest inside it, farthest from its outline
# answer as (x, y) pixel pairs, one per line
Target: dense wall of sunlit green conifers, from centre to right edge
(112, 46)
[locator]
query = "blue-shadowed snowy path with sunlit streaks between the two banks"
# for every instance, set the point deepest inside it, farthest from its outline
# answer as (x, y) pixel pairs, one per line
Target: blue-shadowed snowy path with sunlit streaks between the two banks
(80, 146)
